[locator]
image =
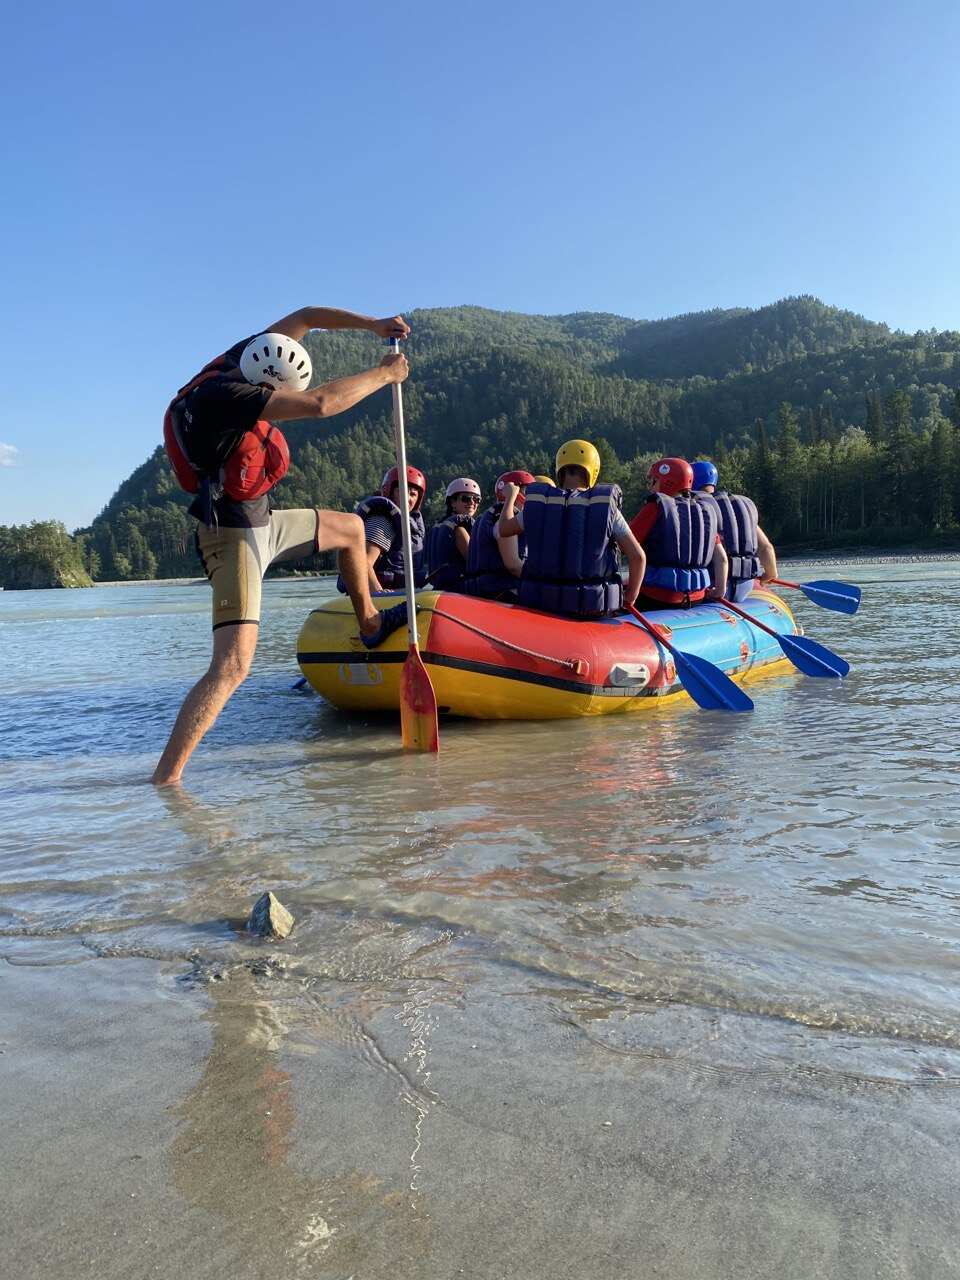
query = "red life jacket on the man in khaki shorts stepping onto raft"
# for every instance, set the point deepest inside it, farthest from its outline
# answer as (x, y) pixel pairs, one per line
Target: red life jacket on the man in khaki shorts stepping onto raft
(258, 461)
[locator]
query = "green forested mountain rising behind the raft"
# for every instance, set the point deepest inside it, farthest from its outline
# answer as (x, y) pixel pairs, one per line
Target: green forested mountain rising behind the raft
(819, 413)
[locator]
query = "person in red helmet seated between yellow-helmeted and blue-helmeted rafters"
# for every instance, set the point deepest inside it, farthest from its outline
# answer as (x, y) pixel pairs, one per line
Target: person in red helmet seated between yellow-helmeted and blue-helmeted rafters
(680, 533)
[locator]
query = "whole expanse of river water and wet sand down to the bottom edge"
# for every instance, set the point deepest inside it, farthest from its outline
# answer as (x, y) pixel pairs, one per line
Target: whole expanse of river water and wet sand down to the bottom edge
(737, 936)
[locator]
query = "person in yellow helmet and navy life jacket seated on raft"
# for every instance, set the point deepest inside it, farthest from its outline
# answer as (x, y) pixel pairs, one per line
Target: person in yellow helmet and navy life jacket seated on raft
(575, 532)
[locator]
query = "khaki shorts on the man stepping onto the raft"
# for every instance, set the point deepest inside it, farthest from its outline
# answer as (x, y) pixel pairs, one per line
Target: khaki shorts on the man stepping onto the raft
(236, 560)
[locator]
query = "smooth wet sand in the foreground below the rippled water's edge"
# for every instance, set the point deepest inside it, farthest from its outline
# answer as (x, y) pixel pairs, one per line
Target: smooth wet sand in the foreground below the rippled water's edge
(244, 1126)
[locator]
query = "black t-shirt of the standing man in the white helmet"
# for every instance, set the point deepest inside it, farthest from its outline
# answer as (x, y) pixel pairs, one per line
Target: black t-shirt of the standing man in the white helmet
(212, 420)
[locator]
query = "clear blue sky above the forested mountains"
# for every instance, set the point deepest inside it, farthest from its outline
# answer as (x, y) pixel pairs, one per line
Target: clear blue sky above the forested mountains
(180, 175)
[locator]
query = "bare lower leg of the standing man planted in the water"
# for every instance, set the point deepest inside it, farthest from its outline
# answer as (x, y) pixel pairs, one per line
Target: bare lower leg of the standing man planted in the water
(235, 647)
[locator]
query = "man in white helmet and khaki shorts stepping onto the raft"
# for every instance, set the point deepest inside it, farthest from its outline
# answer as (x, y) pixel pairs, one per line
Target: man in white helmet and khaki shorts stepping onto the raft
(223, 447)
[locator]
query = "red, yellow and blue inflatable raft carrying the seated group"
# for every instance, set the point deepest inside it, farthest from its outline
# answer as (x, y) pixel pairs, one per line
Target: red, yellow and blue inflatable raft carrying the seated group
(492, 661)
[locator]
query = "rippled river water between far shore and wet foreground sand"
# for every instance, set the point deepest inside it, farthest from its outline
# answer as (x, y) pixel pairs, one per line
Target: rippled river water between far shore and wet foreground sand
(801, 863)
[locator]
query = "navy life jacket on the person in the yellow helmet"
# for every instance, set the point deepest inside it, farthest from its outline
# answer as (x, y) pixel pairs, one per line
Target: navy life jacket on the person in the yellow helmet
(573, 565)
